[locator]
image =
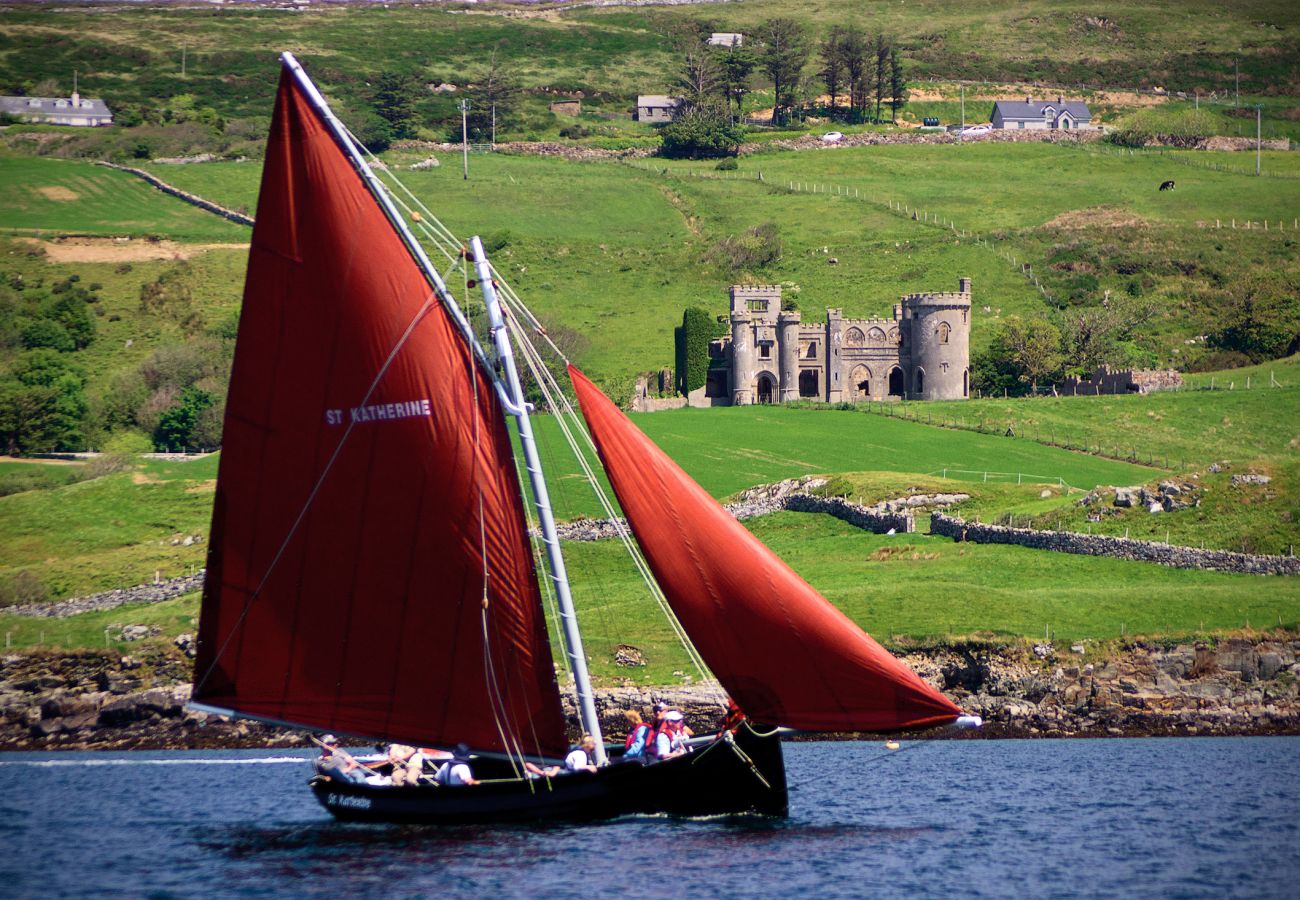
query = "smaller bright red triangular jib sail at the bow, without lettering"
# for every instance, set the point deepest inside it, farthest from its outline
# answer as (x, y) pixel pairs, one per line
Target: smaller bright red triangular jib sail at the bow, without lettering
(779, 648)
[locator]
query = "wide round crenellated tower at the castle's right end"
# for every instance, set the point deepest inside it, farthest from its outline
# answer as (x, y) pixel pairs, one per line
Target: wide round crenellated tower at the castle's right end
(939, 343)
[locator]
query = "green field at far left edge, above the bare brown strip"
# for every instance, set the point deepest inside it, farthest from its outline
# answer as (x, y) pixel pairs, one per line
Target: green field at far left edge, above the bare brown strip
(49, 197)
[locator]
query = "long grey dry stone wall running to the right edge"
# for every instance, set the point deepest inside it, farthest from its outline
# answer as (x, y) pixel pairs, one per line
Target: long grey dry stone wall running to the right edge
(1117, 548)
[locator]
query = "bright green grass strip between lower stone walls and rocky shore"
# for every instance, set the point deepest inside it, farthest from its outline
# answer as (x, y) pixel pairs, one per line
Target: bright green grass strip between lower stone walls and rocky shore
(900, 589)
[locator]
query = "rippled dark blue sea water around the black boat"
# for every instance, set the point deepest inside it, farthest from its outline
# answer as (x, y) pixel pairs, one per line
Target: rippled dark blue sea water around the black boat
(1175, 817)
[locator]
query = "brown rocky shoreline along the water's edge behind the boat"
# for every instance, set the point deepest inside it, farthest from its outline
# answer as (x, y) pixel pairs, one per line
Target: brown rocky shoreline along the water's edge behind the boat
(1241, 686)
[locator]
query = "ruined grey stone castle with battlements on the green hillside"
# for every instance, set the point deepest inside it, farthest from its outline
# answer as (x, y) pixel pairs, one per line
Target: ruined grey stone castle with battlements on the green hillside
(774, 357)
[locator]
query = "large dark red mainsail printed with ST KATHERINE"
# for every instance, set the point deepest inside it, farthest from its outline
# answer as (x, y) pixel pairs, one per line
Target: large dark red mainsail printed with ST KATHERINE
(370, 569)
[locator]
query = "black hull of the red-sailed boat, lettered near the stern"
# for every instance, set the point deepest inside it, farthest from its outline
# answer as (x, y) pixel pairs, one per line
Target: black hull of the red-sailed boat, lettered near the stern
(723, 778)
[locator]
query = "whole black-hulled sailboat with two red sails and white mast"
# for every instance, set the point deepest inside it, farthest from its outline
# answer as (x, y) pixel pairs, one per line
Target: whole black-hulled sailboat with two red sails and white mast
(372, 569)
